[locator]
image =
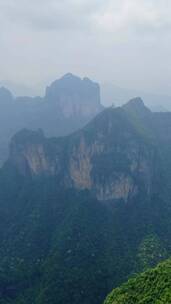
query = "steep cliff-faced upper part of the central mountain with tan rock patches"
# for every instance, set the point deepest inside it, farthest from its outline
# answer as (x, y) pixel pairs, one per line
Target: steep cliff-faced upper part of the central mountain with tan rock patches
(108, 158)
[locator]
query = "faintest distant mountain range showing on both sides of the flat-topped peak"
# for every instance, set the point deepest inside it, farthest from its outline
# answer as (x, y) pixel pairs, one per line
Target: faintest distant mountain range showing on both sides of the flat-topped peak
(110, 94)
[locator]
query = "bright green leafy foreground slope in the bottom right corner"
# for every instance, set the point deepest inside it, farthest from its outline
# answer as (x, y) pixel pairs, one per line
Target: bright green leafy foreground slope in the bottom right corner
(153, 286)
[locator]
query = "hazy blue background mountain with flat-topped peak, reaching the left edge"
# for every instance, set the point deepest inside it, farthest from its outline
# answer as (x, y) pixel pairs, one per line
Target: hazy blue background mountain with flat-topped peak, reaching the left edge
(69, 103)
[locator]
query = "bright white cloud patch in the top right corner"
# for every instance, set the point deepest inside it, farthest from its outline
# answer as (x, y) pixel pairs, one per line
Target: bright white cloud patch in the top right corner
(133, 15)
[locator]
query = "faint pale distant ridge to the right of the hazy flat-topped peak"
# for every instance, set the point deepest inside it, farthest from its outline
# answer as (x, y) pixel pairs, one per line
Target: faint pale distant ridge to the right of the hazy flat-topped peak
(112, 94)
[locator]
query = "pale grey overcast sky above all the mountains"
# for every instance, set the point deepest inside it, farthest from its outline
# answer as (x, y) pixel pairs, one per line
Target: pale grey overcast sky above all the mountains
(126, 42)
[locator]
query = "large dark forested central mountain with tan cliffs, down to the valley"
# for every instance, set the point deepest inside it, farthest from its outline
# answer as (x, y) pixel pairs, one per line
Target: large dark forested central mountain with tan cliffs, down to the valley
(80, 214)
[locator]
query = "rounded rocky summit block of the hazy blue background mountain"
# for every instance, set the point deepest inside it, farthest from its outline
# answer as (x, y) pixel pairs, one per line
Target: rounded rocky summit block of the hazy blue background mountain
(74, 96)
